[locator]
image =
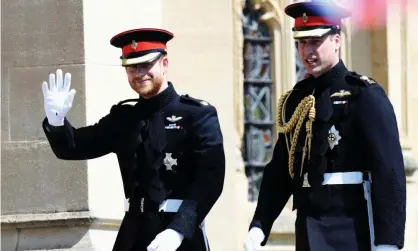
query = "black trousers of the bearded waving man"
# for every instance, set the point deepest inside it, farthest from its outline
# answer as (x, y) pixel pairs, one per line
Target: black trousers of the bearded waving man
(138, 230)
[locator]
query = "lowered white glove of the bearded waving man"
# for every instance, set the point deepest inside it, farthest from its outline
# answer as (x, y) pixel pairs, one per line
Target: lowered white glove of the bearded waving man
(167, 240)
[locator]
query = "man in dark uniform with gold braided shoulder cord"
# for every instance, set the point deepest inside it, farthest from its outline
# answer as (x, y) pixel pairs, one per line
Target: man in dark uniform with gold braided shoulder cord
(338, 151)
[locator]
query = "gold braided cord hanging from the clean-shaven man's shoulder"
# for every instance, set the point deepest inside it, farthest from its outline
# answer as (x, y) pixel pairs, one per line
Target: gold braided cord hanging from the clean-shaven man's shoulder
(306, 107)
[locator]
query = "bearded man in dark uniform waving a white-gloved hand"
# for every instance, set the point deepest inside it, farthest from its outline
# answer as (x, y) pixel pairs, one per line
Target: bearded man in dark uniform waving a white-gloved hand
(169, 148)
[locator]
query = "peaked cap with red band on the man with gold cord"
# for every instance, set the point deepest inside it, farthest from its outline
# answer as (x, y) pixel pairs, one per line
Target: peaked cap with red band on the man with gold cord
(316, 18)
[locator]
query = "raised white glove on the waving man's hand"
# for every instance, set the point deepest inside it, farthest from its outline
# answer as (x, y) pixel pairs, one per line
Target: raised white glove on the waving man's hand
(58, 99)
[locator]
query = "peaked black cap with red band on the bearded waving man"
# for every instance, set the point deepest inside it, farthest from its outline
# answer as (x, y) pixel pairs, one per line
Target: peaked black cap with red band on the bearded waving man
(141, 45)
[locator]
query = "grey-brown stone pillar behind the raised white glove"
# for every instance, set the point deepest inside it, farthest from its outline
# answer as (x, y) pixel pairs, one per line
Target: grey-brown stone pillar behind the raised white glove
(37, 188)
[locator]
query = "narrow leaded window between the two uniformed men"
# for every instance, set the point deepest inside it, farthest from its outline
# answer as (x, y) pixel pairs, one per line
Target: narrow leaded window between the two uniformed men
(258, 118)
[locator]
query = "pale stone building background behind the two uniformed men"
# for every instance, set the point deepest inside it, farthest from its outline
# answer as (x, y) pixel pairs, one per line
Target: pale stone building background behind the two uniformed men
(238, 55)
